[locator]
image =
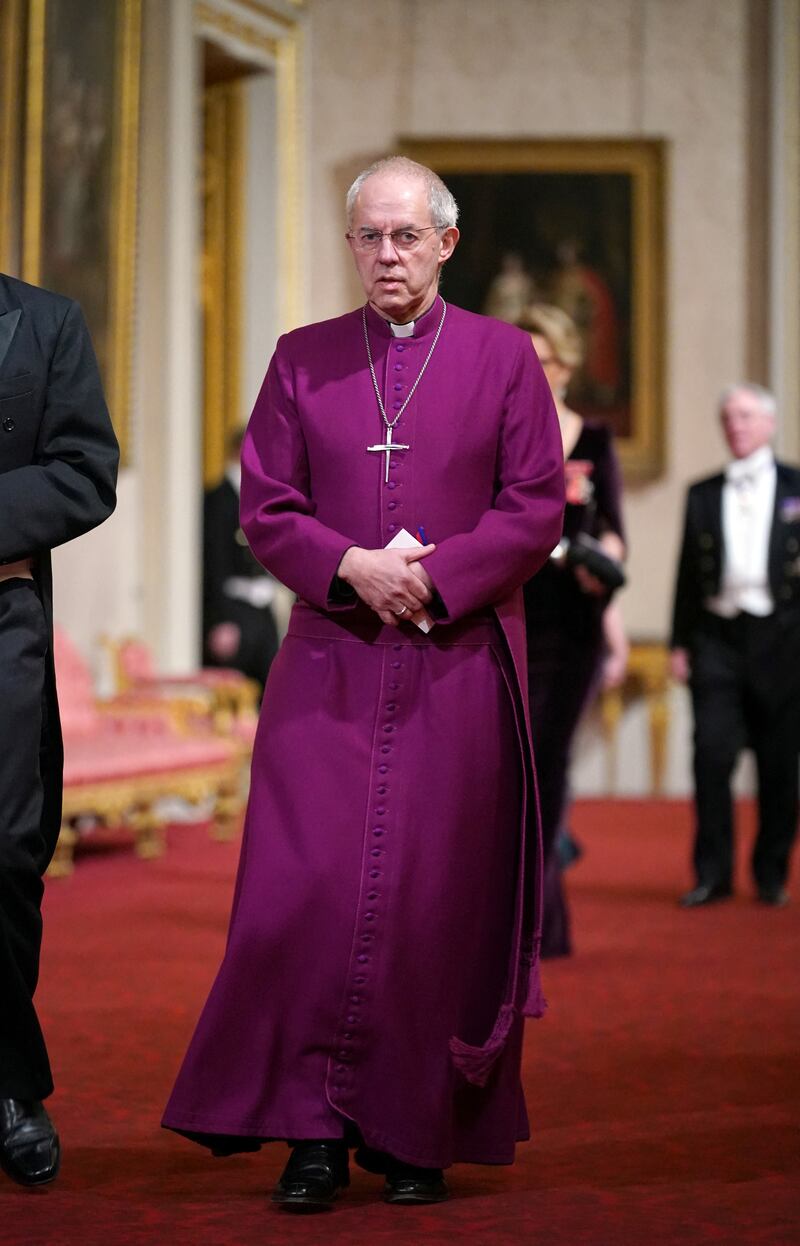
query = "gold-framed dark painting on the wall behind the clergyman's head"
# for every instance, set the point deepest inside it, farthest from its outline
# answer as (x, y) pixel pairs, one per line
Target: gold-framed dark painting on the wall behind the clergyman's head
(579, 224)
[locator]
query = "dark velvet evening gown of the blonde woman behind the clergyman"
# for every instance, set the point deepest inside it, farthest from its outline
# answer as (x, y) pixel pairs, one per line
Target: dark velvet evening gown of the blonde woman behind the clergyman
(565, 644)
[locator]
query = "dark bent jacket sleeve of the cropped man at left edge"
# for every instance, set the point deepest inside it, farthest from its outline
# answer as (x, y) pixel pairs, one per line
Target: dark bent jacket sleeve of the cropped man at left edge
(70, 487)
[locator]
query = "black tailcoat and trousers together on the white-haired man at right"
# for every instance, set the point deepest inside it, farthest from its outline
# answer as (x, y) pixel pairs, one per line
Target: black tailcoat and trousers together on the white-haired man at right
(745, 683)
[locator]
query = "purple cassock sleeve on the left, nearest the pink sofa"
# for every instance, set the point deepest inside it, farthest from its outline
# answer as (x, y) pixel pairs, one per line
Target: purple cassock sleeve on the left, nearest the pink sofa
(277, 509)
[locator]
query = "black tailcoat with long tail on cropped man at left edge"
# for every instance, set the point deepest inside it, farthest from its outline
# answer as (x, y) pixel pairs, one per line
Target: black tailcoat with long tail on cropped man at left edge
(58, 458)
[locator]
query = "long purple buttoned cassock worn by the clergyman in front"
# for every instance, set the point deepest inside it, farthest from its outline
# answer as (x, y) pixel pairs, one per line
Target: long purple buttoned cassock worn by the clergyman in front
(384, 941)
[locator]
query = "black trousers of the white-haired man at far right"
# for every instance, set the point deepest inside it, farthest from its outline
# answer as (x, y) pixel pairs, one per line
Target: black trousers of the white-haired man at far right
(746, 692)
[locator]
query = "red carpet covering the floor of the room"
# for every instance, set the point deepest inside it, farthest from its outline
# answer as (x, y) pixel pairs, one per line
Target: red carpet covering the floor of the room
(664, 1086)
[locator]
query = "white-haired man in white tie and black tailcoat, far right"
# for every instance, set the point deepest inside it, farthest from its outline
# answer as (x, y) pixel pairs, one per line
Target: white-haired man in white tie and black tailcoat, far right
(737, 641)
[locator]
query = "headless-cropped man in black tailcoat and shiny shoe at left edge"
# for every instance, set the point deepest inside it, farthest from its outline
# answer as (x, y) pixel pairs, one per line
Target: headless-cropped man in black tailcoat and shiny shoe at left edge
(58, 475)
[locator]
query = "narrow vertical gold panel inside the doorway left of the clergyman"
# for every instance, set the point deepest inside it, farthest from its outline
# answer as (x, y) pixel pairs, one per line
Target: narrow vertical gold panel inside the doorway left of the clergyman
(222, 270)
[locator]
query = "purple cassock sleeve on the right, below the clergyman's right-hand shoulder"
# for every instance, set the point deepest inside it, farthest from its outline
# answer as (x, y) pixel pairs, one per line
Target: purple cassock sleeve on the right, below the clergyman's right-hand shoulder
(512, 540)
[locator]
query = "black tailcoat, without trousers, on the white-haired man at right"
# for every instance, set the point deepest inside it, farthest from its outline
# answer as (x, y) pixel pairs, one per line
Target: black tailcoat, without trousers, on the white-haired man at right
(701, 563)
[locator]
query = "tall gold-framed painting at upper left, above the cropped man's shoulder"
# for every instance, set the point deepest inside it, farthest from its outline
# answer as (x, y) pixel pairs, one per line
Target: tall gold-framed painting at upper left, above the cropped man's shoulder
(82, 163)
